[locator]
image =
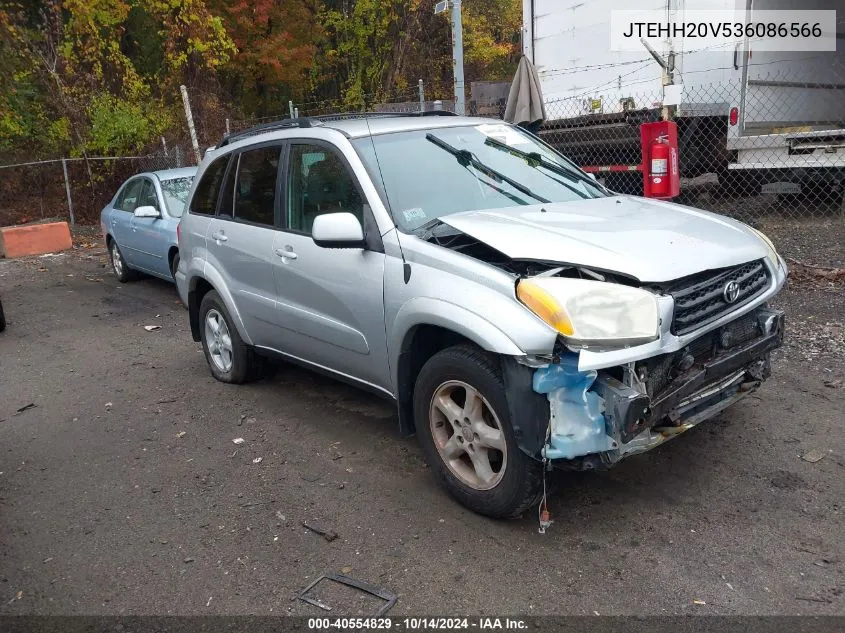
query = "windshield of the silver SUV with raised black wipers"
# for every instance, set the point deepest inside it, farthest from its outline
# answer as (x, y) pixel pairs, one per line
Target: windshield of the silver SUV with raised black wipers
(433, 173)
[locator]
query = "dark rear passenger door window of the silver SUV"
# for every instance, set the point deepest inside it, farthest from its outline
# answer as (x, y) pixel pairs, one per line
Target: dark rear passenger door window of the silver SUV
(255, 185)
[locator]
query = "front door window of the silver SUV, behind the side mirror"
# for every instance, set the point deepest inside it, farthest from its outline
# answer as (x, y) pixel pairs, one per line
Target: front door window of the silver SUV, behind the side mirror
(319, 182)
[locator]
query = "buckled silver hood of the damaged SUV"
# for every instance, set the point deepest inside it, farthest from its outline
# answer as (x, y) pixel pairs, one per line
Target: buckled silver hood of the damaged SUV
(651, 240)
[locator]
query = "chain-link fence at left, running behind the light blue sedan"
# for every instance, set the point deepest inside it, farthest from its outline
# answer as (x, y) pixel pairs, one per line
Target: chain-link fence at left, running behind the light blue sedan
(73, 189)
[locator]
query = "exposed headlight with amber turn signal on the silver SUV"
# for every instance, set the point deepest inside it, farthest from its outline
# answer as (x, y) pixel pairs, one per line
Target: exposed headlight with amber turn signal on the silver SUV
(592, 313)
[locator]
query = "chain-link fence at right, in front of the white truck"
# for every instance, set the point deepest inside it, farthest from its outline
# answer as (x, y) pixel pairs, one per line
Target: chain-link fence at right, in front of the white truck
(771, 146)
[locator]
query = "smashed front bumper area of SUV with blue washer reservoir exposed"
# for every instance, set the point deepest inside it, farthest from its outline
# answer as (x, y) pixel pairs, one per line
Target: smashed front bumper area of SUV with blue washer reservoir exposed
(598, 418)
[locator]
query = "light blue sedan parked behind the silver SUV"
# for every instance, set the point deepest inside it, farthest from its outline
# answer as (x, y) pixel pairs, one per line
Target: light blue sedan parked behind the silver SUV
(140, 223)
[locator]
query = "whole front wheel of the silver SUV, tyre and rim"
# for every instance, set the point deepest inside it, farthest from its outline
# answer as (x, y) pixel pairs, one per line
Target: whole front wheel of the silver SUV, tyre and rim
(461, 416)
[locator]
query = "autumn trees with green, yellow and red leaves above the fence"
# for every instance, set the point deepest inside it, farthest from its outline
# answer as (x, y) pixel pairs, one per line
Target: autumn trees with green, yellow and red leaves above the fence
(103, 76)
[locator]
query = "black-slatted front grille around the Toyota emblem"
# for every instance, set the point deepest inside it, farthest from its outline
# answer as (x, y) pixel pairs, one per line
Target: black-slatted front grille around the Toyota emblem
(700, 300)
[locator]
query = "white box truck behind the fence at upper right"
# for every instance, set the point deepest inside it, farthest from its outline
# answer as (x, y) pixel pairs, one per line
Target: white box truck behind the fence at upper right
(779, 116)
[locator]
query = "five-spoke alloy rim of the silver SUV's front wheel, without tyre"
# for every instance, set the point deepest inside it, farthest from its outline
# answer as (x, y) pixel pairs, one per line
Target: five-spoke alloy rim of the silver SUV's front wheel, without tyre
(468, 435)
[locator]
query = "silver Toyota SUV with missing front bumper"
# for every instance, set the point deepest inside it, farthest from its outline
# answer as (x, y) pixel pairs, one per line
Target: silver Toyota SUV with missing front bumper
(520, 315)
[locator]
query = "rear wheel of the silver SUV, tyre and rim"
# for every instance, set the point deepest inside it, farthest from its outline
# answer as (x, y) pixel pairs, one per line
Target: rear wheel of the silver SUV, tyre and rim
(229, 358)
